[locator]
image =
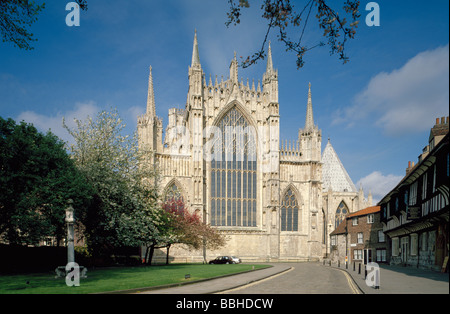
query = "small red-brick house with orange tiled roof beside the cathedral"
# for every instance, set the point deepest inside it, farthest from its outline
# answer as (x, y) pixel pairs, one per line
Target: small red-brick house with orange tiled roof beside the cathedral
(359, 238)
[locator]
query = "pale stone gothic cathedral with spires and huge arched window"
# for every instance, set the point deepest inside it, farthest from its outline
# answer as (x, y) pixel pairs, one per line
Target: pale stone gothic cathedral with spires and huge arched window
(223, 156)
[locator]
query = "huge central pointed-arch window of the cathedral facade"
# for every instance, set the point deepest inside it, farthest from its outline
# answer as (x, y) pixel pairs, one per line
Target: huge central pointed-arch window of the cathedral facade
(233, 173)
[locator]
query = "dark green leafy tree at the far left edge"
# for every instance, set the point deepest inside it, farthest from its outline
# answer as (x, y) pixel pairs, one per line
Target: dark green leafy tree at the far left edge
(37, 177)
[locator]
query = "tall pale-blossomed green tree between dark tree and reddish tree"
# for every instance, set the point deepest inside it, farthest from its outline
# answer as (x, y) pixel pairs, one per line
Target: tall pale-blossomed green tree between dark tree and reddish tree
(124, 210)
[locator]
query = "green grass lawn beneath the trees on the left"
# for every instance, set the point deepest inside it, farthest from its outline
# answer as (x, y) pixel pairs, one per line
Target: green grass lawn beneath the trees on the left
(121, 278)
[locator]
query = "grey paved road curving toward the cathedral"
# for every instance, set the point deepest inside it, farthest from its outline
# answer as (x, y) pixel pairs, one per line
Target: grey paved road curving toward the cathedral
(302, 278)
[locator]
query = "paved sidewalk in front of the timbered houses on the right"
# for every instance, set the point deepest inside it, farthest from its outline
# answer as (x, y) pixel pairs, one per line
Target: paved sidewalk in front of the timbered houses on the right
(400, 280)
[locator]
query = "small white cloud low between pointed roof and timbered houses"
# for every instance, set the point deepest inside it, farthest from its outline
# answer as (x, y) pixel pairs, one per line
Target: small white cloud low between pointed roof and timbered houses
(379, 184)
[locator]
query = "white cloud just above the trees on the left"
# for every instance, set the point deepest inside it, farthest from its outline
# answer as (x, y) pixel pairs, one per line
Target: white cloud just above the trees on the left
(55, 123)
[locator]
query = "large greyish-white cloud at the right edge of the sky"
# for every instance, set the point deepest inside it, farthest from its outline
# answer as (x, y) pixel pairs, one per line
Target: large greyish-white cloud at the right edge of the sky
(407, 99)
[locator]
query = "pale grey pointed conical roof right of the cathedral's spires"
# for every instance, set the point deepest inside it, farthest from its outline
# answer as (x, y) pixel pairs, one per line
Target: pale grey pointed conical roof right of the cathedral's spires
(334, 175)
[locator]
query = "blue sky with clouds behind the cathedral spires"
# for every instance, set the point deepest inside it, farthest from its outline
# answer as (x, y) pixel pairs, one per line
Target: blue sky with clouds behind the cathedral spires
(377, 109)
